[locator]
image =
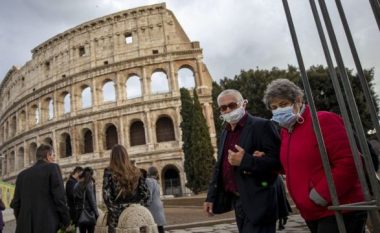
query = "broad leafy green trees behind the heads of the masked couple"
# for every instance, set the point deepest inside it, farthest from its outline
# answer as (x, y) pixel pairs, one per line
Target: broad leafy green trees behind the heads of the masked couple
(252, 84)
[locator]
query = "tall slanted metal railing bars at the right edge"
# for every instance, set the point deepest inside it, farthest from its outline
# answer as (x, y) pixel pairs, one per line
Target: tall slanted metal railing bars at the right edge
(372, 202)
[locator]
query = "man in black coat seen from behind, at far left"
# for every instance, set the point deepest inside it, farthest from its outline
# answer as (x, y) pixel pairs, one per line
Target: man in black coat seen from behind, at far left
(39, 201)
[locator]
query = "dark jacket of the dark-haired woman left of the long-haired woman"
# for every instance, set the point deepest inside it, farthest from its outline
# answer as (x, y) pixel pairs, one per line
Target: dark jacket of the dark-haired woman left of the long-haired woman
(89, 203)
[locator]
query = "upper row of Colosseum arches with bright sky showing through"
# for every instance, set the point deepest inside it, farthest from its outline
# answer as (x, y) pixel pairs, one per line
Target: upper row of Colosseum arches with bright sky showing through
(49, 108)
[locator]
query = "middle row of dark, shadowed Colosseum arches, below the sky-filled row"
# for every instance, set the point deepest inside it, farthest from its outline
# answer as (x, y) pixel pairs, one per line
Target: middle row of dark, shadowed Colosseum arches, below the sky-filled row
(164, 132)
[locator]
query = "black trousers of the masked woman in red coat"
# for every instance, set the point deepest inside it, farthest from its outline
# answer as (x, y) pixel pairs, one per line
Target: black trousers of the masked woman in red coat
(354, 222)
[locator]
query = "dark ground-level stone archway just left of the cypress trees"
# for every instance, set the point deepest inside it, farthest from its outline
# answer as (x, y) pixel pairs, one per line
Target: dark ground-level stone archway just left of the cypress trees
(171, 180)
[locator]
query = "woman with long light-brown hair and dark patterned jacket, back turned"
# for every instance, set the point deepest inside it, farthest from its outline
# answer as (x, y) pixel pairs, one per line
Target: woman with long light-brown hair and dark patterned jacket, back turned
(123, 185)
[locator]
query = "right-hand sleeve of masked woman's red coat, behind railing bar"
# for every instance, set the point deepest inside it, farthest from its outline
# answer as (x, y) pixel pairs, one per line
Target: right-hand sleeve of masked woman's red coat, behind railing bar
(340, 156)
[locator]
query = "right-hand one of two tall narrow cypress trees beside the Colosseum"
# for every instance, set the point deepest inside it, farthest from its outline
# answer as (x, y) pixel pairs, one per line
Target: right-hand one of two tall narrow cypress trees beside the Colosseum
(201, 159)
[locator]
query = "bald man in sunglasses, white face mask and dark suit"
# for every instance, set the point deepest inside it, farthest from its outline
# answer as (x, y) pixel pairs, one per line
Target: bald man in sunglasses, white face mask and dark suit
(241, 181)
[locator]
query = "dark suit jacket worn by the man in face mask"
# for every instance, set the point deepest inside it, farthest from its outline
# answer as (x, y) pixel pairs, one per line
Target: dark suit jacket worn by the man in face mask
(255, 175)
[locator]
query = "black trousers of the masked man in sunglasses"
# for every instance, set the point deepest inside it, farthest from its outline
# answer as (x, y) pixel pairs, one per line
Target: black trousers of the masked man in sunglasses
(245, 225)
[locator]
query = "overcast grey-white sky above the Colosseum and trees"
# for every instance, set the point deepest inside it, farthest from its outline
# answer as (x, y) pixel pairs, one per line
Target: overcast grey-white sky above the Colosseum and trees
(234, 35)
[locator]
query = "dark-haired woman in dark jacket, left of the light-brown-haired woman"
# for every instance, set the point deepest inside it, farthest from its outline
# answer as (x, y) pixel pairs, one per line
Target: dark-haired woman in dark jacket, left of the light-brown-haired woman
(85, 199)
